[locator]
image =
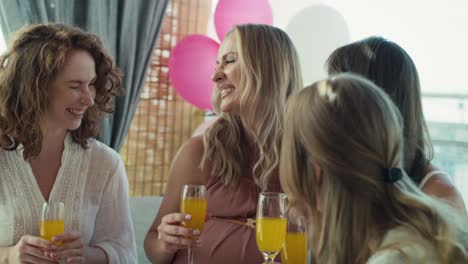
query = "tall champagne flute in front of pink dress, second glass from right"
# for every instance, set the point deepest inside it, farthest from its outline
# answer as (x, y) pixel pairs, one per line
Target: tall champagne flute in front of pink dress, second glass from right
(271, 224)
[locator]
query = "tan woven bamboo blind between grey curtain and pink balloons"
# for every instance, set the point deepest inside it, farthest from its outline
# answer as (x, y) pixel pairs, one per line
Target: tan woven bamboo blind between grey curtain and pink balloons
(163, 120)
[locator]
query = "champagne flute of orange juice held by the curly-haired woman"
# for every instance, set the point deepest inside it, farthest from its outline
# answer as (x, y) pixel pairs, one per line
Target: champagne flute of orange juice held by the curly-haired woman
(52, 220)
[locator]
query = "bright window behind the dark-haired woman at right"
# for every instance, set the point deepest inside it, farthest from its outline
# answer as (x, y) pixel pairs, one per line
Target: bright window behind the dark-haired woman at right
(434, 34)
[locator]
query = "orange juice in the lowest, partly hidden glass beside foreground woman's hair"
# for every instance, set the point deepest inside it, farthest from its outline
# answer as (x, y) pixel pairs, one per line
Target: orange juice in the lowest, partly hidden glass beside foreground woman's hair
(295, 248)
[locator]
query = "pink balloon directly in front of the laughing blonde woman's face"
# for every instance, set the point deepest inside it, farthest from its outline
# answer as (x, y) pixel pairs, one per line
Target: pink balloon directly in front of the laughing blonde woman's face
(191, 65)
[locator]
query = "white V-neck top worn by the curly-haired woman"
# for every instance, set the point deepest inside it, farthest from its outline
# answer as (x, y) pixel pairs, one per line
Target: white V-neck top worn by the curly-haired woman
(92, 184)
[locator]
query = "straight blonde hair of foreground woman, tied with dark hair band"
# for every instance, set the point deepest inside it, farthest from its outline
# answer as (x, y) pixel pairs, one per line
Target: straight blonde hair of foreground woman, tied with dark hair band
(349, 129)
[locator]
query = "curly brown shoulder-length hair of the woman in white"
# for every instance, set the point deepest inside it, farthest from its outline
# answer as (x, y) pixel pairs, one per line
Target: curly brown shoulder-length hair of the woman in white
(35, 56)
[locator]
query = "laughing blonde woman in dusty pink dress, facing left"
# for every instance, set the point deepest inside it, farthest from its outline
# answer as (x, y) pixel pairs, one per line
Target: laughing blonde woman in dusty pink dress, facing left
(238, 156)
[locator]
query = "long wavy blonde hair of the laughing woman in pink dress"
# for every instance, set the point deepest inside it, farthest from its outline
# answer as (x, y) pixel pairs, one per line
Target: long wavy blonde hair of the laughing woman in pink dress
(270, 73)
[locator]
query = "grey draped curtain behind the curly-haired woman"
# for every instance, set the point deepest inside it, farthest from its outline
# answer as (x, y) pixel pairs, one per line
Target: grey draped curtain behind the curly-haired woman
(128, 28)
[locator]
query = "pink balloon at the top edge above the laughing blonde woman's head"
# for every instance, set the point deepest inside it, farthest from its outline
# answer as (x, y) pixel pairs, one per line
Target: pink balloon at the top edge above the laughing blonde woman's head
(233, 12)
